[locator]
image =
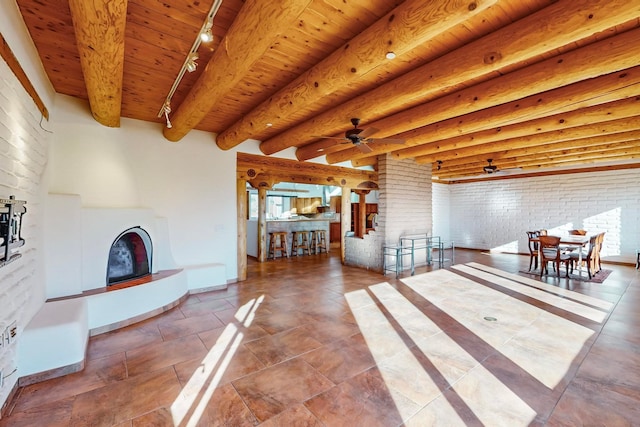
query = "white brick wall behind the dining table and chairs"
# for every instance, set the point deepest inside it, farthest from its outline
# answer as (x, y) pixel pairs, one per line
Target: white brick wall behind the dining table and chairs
(495, 214)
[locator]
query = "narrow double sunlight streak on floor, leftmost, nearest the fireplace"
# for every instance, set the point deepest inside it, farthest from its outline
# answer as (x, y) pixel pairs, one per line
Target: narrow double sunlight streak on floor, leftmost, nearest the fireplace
(194, 397)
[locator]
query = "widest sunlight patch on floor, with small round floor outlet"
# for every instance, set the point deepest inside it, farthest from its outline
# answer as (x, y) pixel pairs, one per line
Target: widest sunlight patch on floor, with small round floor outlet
(541, 343)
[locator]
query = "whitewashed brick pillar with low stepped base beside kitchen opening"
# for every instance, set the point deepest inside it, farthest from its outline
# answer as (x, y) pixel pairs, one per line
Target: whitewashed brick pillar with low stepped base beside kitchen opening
(404, 207)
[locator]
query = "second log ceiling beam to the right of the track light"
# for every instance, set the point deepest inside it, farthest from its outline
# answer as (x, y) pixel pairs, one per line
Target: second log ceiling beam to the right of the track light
(409, 25)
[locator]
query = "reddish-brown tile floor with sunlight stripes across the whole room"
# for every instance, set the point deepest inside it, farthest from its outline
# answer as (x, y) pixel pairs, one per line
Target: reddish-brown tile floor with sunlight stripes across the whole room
(306, 341)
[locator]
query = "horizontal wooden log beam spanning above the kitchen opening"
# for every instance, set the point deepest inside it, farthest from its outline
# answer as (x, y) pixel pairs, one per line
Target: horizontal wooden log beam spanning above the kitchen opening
(274, 170)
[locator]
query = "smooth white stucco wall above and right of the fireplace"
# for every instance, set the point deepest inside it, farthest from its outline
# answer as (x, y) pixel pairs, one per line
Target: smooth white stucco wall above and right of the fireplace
(191, 183)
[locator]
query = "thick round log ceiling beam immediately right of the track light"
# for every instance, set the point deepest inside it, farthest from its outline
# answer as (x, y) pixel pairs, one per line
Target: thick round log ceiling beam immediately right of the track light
(253, 32)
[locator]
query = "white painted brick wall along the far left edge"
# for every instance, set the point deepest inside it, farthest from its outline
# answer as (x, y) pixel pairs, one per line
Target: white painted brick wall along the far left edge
(23, 158)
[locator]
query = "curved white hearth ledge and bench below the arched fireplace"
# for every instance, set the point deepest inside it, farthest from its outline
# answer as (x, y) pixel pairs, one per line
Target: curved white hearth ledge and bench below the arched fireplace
(54, 343)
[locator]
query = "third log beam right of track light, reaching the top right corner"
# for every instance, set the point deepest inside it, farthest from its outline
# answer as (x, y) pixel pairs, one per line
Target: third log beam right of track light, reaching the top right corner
(566, 22)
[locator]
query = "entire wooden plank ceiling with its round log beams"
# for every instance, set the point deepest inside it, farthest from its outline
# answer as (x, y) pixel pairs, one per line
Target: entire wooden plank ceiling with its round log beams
(533, 85)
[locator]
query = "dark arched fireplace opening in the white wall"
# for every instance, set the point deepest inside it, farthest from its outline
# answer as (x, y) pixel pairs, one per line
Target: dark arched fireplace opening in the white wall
(129, 256)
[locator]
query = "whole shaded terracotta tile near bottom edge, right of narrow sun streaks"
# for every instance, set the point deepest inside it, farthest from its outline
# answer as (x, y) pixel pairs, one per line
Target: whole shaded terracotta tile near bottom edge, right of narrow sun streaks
(274, 389)
